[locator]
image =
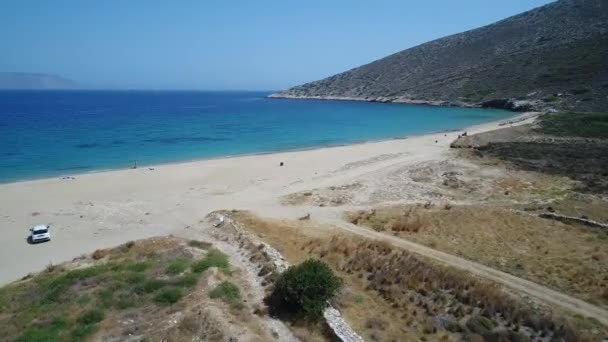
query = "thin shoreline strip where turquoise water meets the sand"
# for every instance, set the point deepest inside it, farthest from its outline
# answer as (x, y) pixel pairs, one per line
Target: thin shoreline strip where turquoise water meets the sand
(502, 122)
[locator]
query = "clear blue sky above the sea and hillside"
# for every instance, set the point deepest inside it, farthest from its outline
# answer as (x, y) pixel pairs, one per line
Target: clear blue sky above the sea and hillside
(222, 44)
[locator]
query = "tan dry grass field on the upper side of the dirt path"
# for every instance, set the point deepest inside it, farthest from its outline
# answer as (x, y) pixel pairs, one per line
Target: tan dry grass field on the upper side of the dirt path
(568, 258)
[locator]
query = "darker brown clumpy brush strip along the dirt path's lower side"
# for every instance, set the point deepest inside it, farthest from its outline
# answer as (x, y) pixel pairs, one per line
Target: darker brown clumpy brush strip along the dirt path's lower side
(458, 302)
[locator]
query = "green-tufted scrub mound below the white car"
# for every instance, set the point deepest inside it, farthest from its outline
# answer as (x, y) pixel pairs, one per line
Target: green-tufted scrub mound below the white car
(71, 303)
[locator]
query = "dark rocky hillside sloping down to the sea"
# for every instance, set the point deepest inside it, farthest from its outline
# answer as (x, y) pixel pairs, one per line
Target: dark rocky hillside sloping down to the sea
(552, 56)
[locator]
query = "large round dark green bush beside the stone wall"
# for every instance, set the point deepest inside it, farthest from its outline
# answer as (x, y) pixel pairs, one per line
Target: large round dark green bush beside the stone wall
(303, 290)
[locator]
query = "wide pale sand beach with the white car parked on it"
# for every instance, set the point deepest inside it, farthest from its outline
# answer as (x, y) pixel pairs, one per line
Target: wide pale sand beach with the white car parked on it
(108, 208)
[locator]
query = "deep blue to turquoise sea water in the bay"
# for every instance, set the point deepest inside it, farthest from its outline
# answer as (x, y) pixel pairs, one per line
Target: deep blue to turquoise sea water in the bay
(52, 133)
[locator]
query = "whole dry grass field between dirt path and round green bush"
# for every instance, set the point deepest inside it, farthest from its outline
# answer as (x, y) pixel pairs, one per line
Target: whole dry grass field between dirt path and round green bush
(409, 298)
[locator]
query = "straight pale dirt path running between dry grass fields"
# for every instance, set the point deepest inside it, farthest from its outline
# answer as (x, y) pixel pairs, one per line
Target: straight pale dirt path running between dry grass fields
(520, 285)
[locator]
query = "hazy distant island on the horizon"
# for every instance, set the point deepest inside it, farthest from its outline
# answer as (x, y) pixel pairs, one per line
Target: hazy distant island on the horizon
(31, 81)
